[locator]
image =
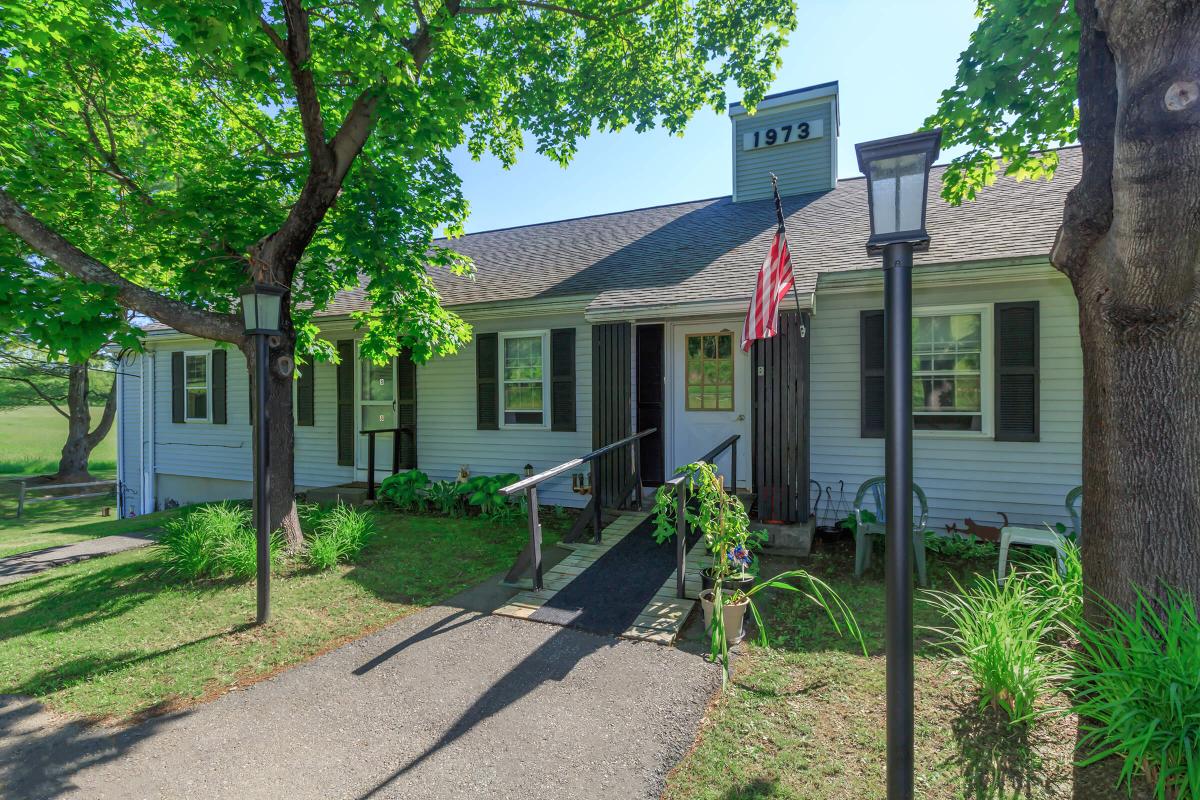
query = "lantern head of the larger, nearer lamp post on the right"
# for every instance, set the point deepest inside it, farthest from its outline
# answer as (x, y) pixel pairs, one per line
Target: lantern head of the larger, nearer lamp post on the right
(898, 183)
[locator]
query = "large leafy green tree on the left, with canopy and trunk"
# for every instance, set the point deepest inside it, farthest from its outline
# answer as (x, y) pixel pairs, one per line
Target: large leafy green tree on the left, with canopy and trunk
(166, 153)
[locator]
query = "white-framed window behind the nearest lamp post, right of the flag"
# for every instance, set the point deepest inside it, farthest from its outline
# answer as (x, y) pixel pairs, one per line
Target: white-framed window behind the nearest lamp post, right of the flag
(949, 370)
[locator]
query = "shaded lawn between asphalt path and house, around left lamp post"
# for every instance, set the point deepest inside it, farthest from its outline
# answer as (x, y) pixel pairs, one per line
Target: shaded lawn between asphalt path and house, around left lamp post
(118, 637)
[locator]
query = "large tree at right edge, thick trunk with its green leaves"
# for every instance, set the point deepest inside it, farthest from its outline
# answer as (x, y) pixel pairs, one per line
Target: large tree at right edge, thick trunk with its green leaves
(1123, 79)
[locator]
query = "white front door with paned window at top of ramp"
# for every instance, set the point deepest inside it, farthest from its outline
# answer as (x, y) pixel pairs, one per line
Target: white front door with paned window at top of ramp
(710, 395)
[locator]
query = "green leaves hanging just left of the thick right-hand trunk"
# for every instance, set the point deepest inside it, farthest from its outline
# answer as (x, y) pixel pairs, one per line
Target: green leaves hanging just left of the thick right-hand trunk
(1013, 97)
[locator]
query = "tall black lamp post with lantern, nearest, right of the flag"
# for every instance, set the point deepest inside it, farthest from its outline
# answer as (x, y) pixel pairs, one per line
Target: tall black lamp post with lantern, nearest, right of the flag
(898, 178)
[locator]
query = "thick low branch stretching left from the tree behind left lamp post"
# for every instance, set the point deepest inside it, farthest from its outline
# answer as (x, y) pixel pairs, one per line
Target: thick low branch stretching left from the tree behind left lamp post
(181, 316)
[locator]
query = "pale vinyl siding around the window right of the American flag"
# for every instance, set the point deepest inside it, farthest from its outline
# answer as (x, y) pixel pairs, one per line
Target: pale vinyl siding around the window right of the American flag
(964, 476)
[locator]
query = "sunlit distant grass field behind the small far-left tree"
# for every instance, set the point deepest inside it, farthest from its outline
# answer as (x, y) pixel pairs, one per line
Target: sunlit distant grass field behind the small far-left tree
(34, 436)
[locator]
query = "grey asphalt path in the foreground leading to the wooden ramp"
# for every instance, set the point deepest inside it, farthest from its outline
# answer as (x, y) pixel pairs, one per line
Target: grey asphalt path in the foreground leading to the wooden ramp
(447, 703)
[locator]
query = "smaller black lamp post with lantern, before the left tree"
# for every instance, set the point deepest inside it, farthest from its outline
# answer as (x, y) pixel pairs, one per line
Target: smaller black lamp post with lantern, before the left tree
(261, 311)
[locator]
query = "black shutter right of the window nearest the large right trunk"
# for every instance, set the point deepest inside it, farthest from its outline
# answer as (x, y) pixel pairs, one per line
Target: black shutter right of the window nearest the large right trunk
(1017, 371)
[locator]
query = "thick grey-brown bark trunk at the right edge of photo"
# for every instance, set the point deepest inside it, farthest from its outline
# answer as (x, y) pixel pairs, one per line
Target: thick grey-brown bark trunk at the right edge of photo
(1131, 245)
